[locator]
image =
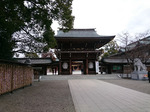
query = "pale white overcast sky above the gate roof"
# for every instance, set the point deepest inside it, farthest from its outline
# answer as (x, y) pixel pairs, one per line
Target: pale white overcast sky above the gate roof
(111, 17)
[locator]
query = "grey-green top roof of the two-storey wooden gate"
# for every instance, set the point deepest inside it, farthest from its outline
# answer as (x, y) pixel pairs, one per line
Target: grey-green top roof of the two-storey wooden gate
(79, 33)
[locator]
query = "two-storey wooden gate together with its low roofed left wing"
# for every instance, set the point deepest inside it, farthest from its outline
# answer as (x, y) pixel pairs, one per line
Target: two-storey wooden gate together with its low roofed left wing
(76, 50)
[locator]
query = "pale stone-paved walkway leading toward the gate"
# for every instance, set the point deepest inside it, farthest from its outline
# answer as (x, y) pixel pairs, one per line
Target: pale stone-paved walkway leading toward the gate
(100, 96)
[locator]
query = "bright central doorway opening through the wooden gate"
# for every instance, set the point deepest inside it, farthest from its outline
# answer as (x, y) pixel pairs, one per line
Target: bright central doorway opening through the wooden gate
(77, 67)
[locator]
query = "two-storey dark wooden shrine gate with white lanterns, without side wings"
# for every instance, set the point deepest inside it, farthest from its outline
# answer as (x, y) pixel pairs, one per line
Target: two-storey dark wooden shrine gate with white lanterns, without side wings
(78, 49)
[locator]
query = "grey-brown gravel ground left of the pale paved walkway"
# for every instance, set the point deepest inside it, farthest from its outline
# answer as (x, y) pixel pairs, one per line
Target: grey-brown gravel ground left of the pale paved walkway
(45, 96)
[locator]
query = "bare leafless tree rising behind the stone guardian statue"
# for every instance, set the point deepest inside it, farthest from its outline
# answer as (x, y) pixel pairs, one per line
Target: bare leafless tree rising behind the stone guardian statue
(137, 48)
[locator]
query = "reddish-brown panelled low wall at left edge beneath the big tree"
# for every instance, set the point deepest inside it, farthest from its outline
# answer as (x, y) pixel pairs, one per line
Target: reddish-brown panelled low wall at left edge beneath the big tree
(14, 76)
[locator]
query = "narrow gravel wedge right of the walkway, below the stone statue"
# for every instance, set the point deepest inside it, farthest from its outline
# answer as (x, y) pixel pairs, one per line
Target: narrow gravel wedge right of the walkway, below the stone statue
(142, 86)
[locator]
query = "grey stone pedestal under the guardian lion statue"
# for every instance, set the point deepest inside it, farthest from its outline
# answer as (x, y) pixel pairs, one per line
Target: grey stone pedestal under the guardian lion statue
(139, 75)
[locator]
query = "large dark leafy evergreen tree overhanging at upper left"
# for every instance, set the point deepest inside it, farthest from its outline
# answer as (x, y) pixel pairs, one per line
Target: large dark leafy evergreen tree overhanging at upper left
(25, 25)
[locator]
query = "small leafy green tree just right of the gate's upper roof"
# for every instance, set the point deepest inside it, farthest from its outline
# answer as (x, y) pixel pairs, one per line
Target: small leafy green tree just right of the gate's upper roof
(110, 48)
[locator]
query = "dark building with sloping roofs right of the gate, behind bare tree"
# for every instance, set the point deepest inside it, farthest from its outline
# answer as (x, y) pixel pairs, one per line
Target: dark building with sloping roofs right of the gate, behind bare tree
(118, 63)
